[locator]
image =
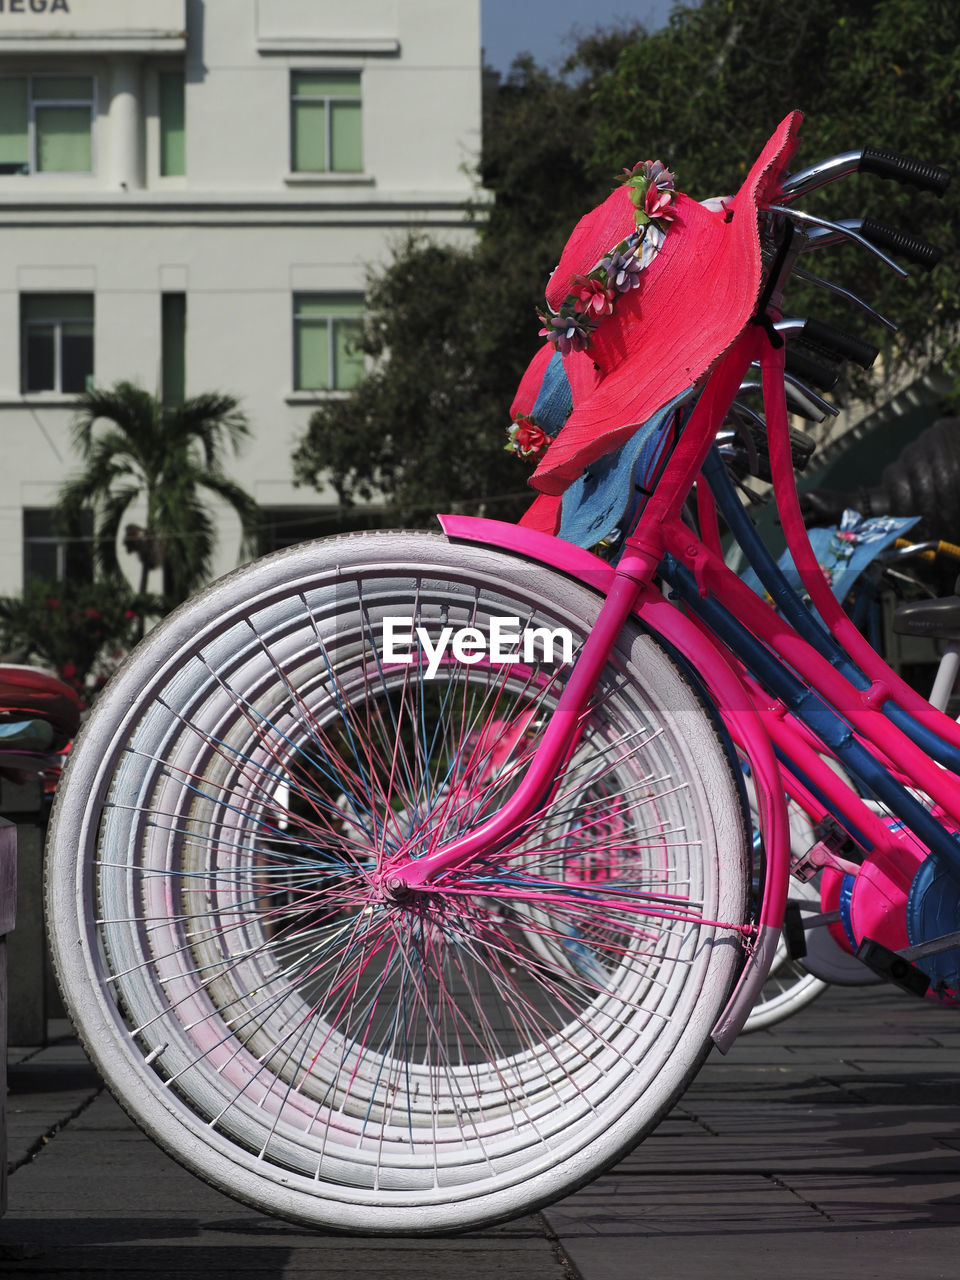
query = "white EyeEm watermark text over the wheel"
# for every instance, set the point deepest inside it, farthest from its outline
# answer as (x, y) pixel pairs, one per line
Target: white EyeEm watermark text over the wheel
(502, 643)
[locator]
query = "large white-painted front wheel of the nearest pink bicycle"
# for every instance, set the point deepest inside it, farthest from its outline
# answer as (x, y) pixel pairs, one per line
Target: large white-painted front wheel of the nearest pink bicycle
(314, 1045)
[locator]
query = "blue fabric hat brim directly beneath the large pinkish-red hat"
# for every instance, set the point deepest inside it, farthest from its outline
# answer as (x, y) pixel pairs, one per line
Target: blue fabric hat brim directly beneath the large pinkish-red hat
(598, 501)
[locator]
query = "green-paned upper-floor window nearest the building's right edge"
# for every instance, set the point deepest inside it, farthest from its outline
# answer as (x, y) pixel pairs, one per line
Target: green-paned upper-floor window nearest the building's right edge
(326, 129)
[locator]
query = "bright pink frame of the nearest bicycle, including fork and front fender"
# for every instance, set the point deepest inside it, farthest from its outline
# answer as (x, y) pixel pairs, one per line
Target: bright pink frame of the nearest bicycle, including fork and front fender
(753, 720)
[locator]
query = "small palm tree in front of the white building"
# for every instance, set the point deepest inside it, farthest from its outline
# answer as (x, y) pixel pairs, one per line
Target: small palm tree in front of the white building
(138, 450)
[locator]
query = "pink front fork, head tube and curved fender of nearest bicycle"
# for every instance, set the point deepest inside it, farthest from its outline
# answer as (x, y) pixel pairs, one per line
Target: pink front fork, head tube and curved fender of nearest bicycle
(630, 592)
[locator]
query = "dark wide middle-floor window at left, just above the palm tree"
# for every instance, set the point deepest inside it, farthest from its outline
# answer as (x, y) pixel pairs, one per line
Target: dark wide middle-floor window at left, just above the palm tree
(57, 342)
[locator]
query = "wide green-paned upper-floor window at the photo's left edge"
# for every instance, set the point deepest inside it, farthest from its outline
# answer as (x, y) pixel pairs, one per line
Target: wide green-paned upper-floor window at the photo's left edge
(47, 125)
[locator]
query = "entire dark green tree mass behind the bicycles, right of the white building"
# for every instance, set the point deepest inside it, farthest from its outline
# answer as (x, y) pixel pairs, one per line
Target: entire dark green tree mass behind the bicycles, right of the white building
(451, 330)
